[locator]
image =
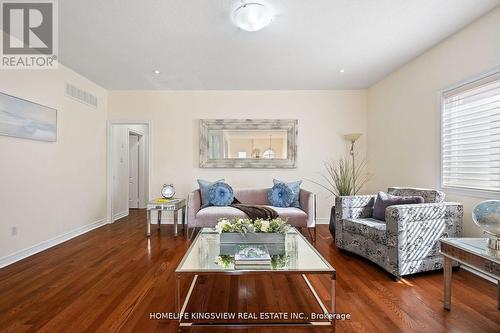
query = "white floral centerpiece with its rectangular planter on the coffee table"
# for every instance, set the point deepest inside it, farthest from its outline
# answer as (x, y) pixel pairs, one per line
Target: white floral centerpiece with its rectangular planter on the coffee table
(252, 231)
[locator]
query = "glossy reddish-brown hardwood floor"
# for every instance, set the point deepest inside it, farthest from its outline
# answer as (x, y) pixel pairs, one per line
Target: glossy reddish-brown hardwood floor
(112, 278)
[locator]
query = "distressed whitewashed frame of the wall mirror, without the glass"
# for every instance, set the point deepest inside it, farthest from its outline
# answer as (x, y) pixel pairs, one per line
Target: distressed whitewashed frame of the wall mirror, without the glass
(290, 125)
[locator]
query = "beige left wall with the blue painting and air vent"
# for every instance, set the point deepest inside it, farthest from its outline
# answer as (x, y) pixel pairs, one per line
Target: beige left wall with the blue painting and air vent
(51, 188)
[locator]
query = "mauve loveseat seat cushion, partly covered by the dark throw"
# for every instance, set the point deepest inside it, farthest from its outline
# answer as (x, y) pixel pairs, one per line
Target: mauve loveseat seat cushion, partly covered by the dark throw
(208, 216)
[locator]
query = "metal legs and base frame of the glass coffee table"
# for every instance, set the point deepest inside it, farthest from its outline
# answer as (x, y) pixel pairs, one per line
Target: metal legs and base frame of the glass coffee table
(181, 306)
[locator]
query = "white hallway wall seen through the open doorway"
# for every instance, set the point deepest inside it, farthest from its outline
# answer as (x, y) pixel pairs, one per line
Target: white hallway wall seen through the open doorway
(120, 167)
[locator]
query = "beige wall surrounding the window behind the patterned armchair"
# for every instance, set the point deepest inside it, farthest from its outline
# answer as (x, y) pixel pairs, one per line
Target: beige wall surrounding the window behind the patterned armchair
(403, 110)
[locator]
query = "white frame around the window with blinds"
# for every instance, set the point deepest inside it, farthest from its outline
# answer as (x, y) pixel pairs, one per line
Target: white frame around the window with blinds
(463, 191)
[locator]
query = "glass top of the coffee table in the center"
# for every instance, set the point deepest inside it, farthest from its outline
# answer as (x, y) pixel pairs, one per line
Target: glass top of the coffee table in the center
(206, 255)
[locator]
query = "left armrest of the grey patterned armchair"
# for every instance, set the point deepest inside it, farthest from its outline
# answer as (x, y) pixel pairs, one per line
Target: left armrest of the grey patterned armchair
(348, 207)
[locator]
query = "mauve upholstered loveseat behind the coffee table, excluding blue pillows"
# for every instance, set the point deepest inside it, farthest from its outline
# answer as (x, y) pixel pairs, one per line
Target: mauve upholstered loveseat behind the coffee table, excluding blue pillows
(303, 217)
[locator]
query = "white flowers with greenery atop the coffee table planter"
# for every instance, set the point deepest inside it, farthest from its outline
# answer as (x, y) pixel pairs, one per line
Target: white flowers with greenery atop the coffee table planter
(244, 226)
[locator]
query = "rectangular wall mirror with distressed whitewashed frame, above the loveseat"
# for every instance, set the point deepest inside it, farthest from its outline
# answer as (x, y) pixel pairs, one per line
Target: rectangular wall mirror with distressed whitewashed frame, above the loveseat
(248, 143)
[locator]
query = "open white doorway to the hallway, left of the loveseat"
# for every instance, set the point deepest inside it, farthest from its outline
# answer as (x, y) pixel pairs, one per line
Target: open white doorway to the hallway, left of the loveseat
(128, 168)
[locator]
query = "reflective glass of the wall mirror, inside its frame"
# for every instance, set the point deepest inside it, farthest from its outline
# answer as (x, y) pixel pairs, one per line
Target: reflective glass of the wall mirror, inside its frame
(247, 144)
